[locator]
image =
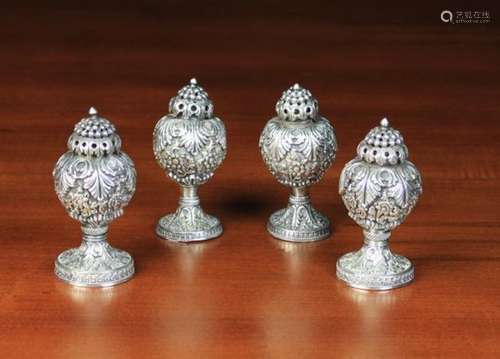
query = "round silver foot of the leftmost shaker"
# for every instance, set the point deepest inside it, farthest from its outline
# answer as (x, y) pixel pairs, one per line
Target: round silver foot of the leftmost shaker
(94, 265)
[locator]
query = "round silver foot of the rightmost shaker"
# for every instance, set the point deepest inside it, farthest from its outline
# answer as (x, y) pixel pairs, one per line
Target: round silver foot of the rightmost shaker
(358, 272)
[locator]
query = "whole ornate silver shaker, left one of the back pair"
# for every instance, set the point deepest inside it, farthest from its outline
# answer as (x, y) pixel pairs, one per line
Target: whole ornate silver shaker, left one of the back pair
(189, 144)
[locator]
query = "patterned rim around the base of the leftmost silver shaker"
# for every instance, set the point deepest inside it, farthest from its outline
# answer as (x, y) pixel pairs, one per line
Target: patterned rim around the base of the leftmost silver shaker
(80, 278)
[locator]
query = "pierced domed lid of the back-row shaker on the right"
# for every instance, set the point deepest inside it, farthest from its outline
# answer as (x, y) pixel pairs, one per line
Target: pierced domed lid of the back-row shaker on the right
(297, 104)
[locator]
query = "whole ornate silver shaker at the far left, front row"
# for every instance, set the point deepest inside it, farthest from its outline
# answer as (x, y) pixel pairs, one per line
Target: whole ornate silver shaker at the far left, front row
(94, 181)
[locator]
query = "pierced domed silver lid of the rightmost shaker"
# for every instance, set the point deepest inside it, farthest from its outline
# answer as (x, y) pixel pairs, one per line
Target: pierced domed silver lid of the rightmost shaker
(383, 145)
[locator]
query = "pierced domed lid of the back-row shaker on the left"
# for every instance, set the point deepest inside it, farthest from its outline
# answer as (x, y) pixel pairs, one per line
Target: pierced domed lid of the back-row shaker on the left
(191, 101)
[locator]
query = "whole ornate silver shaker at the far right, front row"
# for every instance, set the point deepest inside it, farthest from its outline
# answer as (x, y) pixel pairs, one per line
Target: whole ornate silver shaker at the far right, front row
(379, 187)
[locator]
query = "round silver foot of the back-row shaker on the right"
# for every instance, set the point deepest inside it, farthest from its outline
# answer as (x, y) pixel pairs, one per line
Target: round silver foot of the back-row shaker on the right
(298, 229)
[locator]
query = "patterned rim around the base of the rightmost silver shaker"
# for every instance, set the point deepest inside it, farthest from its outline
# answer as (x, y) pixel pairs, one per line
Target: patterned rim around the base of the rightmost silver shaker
(375, 282)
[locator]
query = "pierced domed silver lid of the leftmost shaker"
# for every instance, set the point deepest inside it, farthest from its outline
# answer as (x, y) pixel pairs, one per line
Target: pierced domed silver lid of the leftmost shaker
(94, 135)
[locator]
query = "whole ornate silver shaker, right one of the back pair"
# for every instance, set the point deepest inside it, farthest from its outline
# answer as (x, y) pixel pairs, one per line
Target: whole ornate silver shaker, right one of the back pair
(298, 146)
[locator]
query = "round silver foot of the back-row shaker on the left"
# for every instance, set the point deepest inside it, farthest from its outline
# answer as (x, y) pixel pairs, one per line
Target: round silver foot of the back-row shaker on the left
(175, 228)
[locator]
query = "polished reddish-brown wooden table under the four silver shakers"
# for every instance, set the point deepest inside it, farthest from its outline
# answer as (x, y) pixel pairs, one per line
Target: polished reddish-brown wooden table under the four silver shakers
(247, 295)
